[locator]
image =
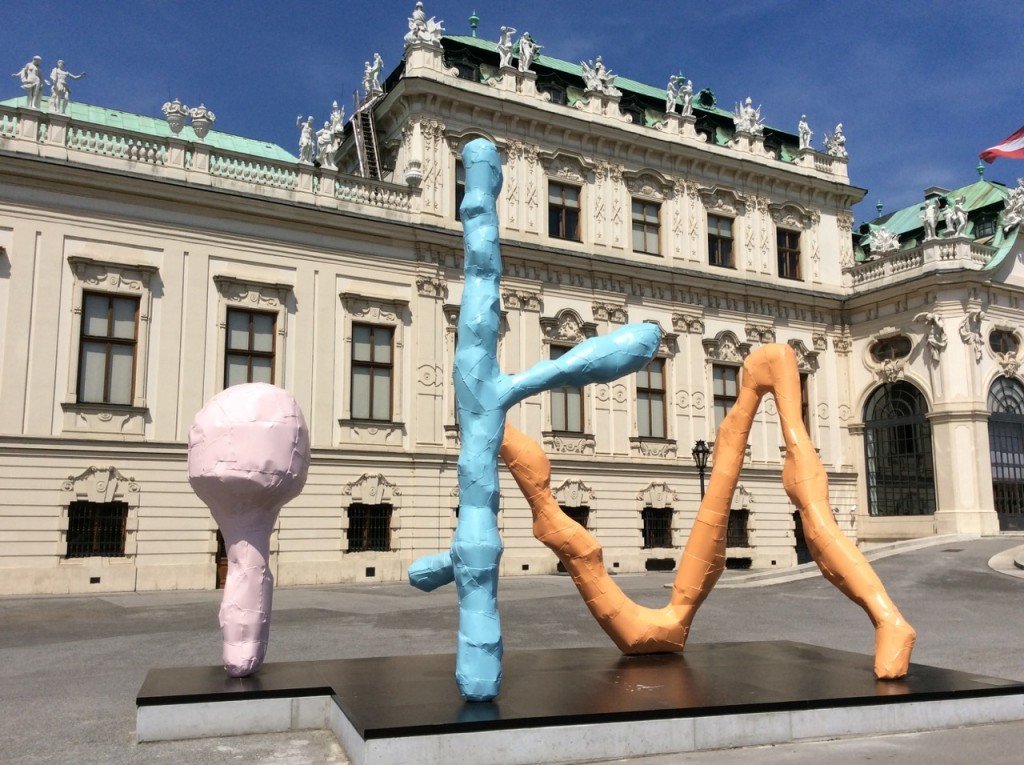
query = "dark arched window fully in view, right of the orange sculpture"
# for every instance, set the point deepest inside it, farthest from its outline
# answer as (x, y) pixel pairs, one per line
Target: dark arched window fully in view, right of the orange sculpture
(899, 447)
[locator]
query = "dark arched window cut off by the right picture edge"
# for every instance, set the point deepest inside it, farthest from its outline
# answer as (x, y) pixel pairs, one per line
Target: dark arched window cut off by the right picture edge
(1006, 447)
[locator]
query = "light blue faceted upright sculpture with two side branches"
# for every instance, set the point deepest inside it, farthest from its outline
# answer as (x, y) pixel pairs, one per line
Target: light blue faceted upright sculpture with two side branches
(484, 396)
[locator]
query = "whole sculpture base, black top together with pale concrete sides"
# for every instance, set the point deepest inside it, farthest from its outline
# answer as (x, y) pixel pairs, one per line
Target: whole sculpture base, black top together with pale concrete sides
(574, 704)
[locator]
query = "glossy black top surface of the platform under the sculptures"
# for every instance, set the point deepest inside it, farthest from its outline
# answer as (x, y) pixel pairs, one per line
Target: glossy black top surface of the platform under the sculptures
(417, 696)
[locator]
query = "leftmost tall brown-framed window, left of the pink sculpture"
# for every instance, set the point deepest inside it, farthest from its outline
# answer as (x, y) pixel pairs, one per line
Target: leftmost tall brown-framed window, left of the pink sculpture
(107, 359)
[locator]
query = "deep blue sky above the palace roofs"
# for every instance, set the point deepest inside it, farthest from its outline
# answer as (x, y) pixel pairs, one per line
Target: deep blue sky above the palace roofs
(921, 87)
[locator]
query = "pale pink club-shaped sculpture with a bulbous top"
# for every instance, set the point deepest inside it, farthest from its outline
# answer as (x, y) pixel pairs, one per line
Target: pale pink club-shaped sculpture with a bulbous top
(248, 455)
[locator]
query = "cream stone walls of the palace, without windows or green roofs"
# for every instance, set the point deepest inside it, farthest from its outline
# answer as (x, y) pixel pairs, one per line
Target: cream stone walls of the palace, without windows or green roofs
(194, 233)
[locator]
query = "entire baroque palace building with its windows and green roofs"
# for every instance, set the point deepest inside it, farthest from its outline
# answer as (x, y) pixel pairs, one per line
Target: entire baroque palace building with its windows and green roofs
(144, 269)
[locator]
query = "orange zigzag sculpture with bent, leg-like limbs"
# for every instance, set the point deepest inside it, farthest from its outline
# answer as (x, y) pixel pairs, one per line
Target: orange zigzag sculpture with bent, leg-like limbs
(636, 629)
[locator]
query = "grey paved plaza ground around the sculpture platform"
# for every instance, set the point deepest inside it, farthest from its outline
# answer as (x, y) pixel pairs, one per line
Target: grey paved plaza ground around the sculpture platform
(70, 667)
